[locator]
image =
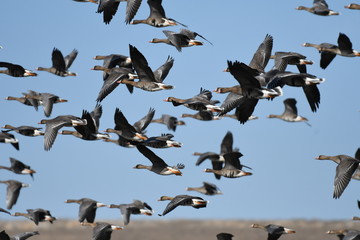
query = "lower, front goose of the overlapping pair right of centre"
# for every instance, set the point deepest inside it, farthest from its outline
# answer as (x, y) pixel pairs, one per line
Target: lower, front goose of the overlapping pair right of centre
(232, 167)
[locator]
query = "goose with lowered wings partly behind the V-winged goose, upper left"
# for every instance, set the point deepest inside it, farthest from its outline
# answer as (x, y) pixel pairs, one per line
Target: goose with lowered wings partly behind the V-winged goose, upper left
(114, 75)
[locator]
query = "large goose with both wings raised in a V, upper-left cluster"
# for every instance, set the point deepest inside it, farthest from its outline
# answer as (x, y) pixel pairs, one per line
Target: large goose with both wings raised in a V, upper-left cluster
(148, 80)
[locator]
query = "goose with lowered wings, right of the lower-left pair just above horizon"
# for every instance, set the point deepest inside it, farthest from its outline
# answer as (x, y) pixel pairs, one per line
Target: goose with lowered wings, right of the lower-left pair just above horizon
(136, 207)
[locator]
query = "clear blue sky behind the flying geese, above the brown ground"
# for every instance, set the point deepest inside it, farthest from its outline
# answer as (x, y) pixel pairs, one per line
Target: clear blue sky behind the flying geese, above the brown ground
(286, 183)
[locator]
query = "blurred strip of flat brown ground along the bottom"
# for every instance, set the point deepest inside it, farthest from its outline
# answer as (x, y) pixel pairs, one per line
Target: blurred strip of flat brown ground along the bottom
(180, 229)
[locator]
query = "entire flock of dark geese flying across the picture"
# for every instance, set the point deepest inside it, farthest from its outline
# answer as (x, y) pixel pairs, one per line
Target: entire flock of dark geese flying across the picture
(254, 83)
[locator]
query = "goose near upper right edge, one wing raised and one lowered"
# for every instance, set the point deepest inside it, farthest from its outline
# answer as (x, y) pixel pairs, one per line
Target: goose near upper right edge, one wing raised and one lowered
(329, 51)
